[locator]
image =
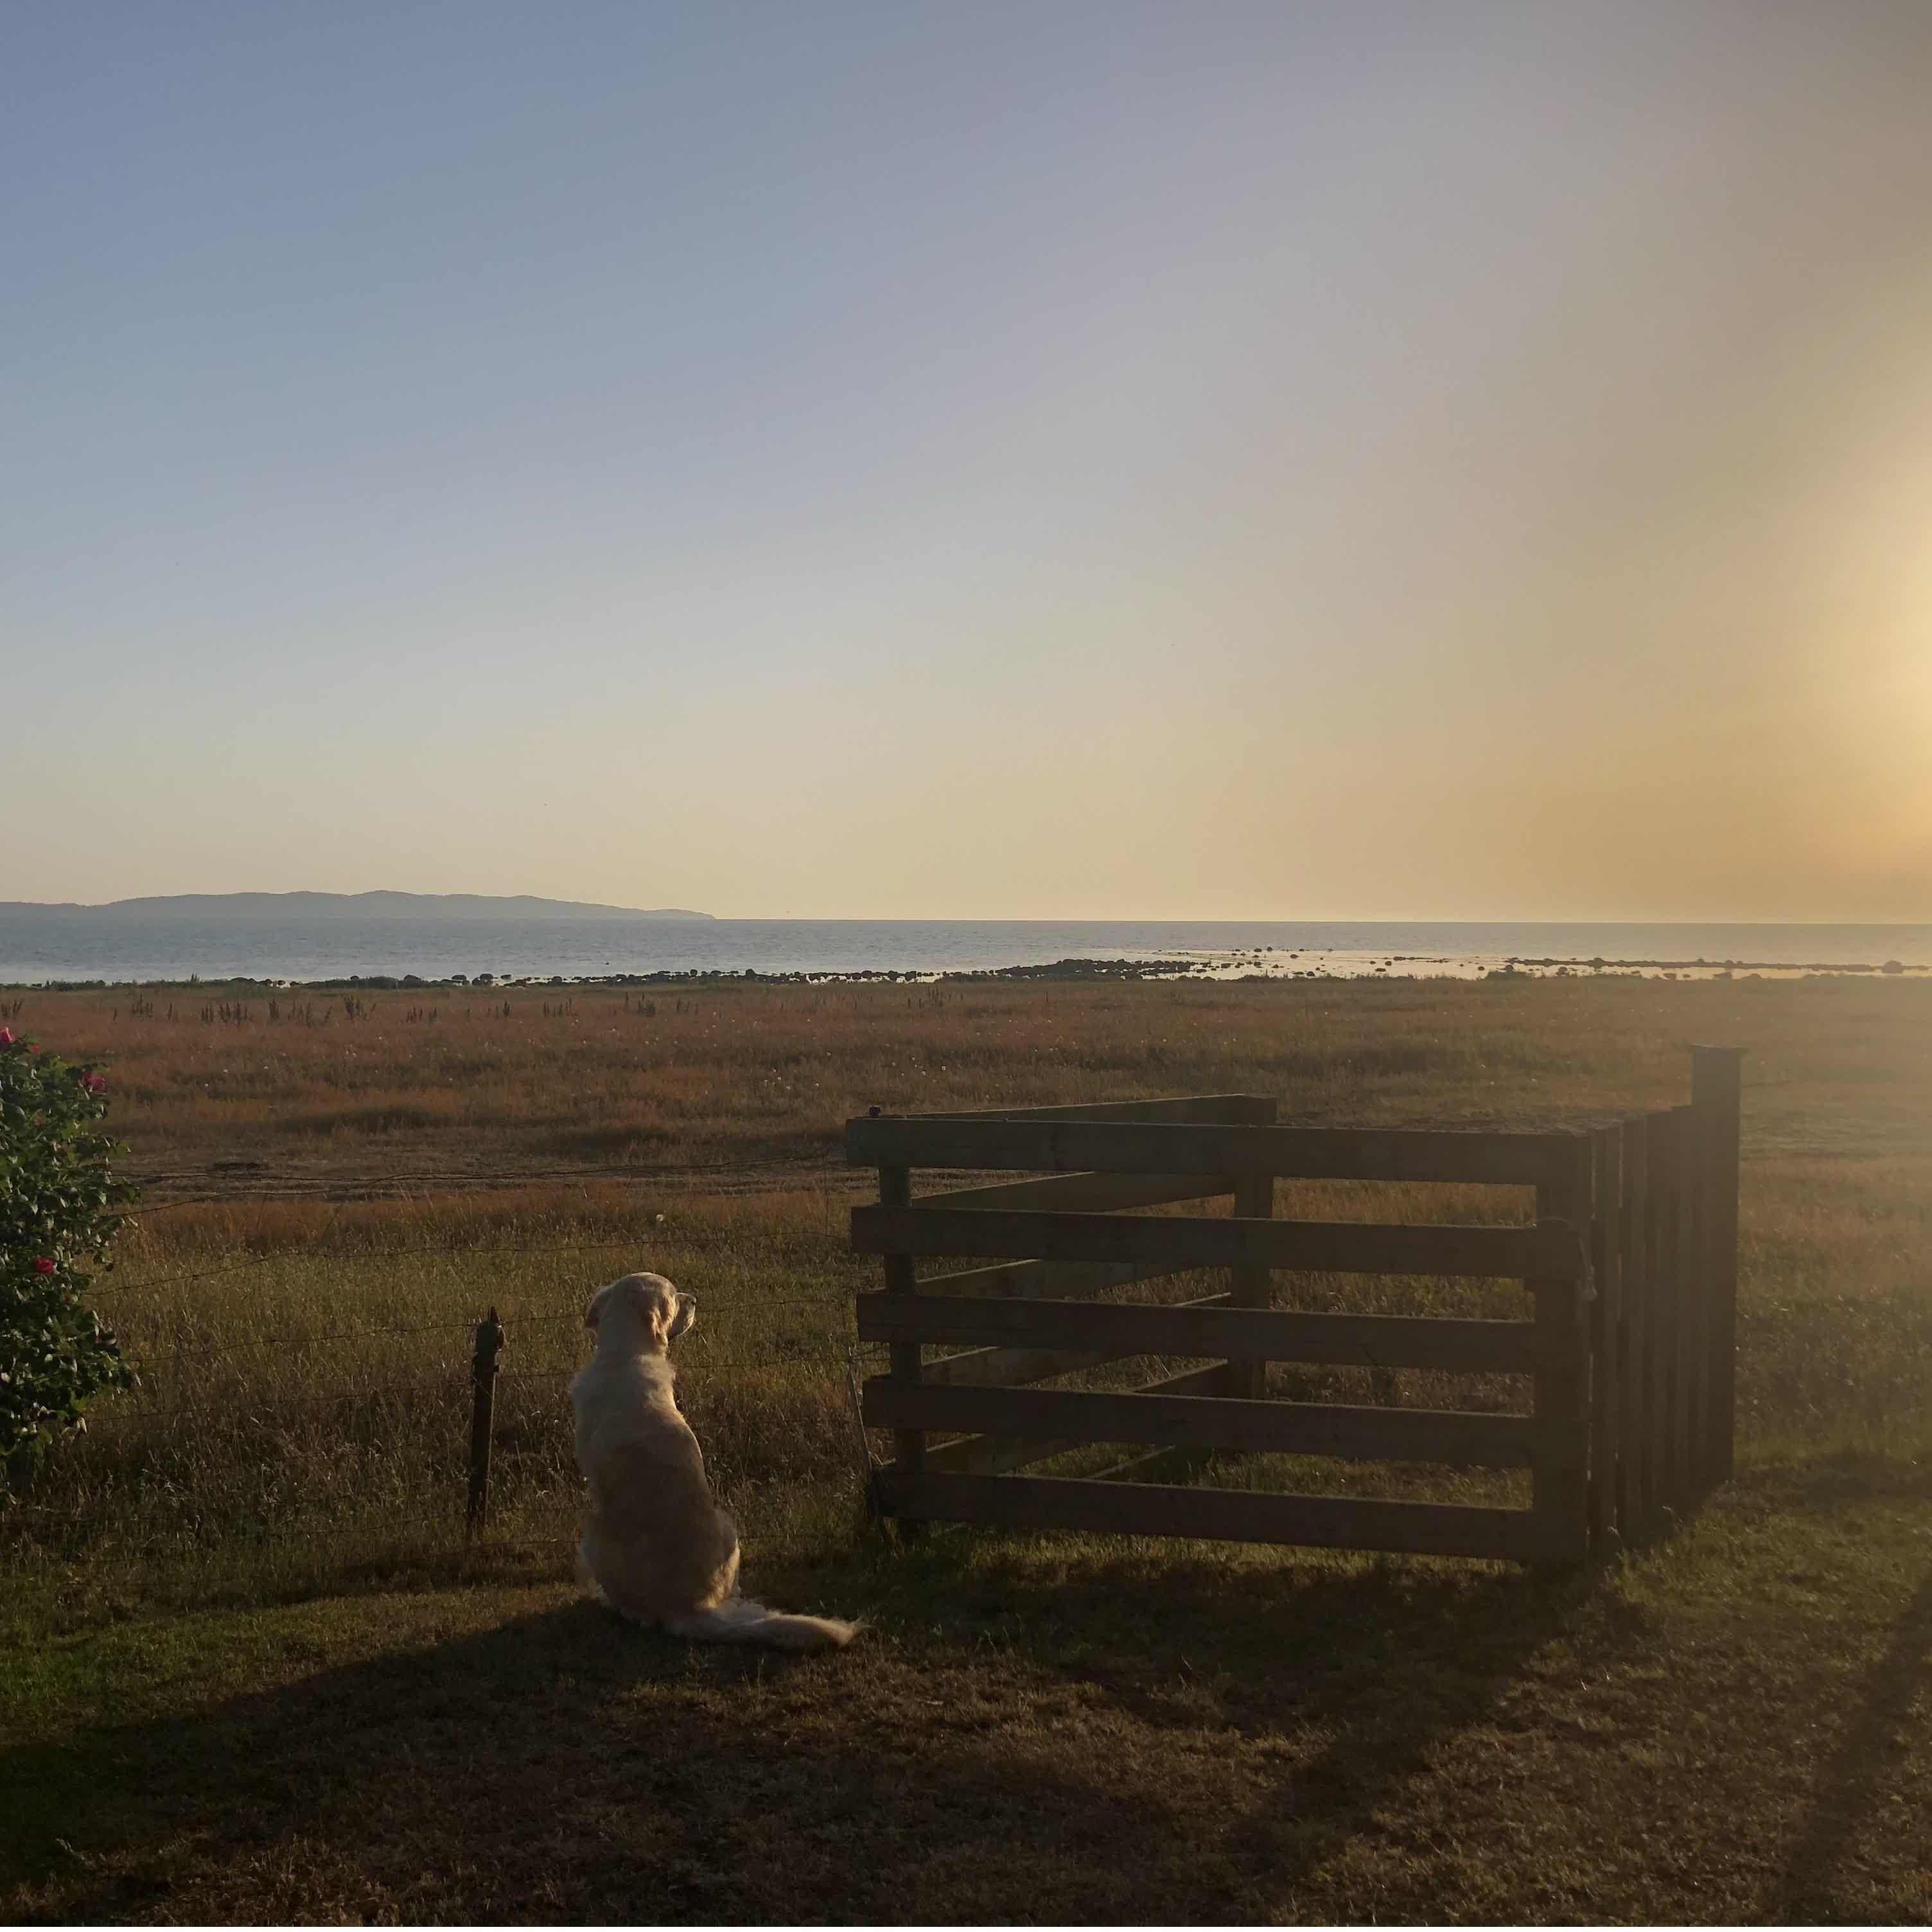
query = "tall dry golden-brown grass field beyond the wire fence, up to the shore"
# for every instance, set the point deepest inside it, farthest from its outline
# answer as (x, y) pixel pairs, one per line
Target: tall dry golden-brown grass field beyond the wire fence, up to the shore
(302, 1319)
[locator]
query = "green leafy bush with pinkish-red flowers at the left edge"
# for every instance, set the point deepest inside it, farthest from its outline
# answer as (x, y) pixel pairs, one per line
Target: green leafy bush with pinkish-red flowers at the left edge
(59, 1212)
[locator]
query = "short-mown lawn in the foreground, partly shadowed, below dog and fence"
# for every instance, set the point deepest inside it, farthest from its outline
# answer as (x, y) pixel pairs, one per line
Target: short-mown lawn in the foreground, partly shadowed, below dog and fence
(1736, 1726)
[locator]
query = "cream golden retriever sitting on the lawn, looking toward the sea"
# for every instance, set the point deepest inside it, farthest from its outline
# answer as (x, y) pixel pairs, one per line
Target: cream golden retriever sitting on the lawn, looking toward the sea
(656, 1547)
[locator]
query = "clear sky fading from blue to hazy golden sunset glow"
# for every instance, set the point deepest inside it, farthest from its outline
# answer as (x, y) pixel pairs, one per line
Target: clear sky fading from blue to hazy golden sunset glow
(1054, 461)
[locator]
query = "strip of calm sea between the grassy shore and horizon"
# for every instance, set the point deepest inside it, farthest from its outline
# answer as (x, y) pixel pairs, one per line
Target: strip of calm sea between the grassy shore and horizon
(36, 948)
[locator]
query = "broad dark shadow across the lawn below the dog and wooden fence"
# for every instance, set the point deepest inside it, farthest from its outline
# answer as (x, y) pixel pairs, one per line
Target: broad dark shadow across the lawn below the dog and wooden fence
(569, 1765)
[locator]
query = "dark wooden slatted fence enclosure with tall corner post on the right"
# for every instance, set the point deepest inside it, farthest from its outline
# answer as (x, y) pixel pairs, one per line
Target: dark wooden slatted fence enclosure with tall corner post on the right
(1628, 1257)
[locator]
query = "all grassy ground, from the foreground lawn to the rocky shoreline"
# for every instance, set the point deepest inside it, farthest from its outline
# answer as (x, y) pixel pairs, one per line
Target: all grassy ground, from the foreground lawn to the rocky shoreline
(254, 1670)
